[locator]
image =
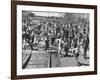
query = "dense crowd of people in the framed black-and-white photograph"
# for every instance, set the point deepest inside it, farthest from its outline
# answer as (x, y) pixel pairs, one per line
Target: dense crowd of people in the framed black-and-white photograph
(57, 33)
